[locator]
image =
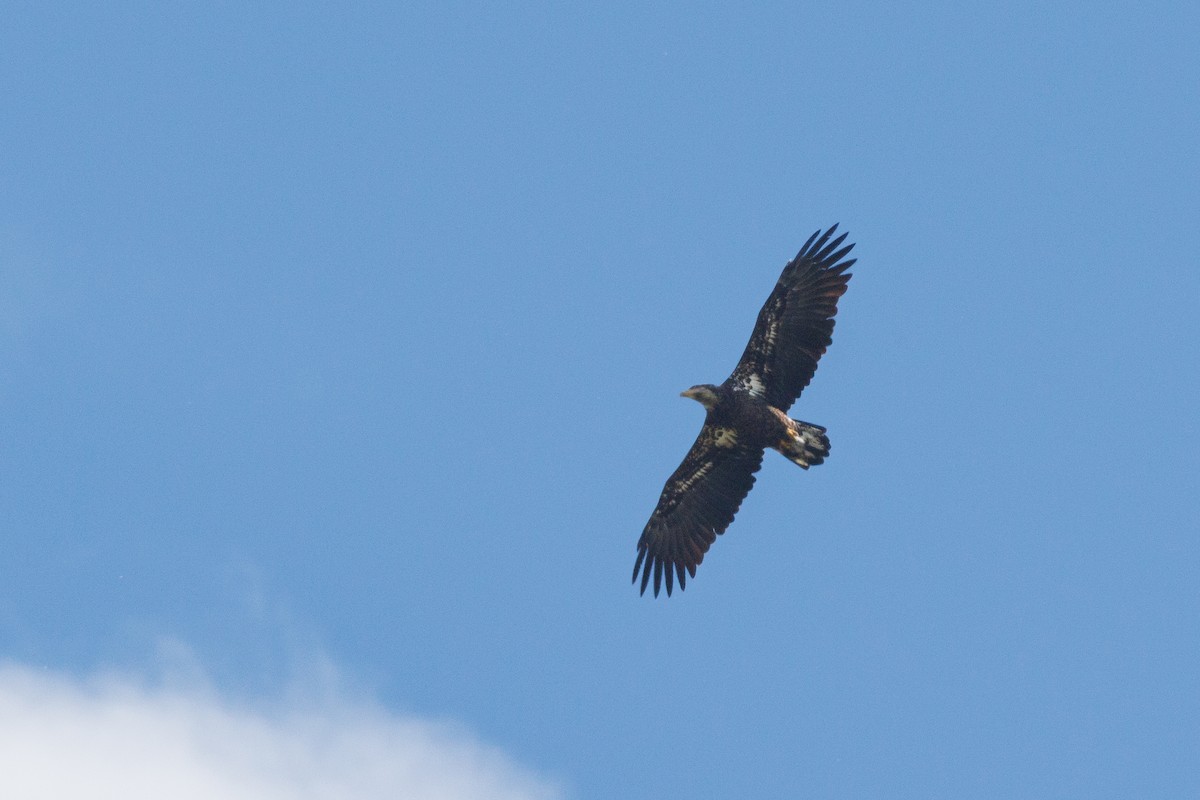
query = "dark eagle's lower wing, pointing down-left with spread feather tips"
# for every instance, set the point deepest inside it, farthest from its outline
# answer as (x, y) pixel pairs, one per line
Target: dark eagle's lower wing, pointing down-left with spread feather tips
(698, 503)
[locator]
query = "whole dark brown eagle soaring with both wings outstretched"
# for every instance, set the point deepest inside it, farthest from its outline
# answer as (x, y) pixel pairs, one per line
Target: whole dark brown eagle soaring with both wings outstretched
(748, 413)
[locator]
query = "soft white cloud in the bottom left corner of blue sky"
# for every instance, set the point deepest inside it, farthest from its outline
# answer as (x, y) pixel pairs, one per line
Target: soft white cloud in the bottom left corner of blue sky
(115, 737)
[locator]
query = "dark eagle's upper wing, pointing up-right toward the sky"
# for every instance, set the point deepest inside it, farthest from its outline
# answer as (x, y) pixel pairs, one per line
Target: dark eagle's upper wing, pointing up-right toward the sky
(796, 323)
